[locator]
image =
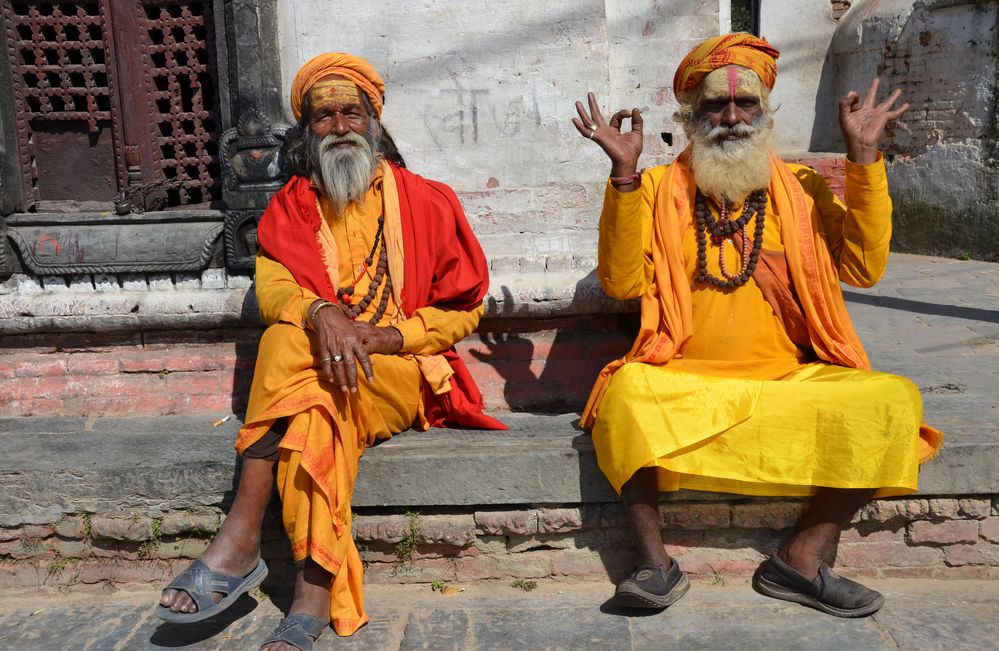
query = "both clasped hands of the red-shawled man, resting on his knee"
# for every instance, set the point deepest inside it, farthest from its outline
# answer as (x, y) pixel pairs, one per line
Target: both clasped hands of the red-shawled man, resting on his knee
(345, 344)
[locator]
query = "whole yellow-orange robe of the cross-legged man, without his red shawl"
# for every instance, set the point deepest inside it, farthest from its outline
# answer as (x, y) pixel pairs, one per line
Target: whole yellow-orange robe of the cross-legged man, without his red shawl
(328, 431)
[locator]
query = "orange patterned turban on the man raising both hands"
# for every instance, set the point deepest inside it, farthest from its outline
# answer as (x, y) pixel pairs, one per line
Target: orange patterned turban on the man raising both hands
(739, 49)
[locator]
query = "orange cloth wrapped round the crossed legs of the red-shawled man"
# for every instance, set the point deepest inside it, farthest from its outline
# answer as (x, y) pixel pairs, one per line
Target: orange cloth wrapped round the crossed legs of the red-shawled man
(327, 432)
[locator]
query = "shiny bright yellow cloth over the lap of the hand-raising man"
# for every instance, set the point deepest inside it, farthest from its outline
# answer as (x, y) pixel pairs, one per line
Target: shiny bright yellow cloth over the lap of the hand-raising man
(823, 425)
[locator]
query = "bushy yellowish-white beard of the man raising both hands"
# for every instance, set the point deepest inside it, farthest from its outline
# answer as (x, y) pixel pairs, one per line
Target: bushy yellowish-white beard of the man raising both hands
(732, 169)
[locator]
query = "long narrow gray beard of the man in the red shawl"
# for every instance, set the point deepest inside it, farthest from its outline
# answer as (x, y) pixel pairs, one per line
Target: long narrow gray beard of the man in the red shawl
(343, 173)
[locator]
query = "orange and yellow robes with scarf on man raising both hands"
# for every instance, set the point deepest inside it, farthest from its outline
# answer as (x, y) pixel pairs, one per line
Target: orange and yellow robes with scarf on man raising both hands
(722, 390)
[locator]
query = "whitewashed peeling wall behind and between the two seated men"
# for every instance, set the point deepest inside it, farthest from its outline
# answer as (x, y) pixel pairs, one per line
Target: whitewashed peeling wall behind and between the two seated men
(480, 97)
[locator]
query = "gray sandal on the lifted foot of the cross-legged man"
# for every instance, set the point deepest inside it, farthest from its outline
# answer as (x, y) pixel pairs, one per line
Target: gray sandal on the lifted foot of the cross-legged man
(199, 582)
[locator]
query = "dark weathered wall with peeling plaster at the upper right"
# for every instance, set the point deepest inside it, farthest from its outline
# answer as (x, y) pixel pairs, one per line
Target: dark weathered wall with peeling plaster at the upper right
(943, 154)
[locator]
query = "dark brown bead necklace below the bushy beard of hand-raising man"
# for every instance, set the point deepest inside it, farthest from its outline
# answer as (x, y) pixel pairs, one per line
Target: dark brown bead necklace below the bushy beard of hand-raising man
(723, 228)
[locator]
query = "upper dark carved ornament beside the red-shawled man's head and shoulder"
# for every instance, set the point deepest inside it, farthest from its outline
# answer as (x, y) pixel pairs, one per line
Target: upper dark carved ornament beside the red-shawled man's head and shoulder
(251, 160)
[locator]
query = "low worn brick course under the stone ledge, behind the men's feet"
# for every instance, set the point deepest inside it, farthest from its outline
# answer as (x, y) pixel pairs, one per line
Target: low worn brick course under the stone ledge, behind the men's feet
(713, 540)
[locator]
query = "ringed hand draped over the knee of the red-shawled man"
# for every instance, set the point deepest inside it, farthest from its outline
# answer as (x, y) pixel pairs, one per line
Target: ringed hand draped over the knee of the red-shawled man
(341, 349)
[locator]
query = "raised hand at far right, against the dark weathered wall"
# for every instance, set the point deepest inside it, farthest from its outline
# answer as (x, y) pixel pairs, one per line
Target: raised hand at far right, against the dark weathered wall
(863, 123)
